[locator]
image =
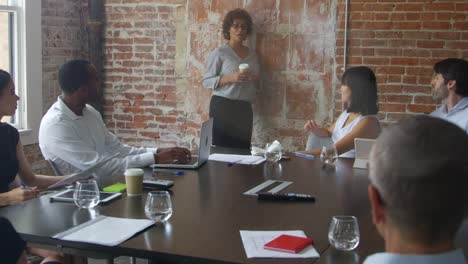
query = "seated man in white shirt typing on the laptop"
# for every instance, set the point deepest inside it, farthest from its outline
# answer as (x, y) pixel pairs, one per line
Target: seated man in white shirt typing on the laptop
(74, 137)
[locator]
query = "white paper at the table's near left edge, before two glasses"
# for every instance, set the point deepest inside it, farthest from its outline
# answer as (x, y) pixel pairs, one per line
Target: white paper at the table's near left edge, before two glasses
(105, 230)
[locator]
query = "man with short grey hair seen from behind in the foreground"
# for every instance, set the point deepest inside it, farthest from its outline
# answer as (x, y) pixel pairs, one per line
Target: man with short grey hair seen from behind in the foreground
(418, 173)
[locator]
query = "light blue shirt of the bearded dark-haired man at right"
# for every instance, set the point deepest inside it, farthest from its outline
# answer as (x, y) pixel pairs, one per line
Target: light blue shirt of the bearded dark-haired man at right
(457, 115)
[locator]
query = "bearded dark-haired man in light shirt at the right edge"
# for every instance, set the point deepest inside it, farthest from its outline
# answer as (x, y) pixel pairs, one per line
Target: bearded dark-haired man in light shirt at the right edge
(450, 82)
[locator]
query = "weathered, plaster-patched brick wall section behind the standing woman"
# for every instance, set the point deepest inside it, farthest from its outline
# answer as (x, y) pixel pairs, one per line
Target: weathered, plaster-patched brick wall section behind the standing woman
(155, 55)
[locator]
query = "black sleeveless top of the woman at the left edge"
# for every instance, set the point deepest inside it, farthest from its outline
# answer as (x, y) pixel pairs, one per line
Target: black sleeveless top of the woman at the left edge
(9, 138)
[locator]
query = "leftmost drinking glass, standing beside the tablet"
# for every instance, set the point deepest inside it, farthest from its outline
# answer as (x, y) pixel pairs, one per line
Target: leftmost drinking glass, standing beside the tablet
(86, 194)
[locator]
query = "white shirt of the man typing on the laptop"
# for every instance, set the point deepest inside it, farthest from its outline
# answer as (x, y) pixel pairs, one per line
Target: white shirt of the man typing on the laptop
(75, 143)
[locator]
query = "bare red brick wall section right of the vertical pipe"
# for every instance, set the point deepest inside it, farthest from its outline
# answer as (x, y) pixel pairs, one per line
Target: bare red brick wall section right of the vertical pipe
(401, 41)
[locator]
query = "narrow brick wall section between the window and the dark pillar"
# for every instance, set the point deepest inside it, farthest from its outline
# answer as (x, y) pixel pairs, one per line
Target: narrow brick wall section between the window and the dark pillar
(63, 38)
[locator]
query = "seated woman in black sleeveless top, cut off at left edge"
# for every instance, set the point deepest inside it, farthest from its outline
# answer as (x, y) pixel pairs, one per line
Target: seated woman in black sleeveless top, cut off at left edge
(13, 163)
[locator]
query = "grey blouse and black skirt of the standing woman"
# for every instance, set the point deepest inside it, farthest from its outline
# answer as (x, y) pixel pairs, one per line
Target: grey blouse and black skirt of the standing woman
(231, 104)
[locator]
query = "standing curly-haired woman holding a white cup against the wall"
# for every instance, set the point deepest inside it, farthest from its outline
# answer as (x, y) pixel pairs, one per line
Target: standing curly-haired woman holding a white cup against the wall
(233, 90)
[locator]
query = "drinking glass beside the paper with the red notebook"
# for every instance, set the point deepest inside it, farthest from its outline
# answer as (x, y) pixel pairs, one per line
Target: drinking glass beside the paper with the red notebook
(343, 233)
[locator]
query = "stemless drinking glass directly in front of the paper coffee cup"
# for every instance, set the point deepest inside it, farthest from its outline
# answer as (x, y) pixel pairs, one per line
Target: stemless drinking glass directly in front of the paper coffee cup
(158, 206)
